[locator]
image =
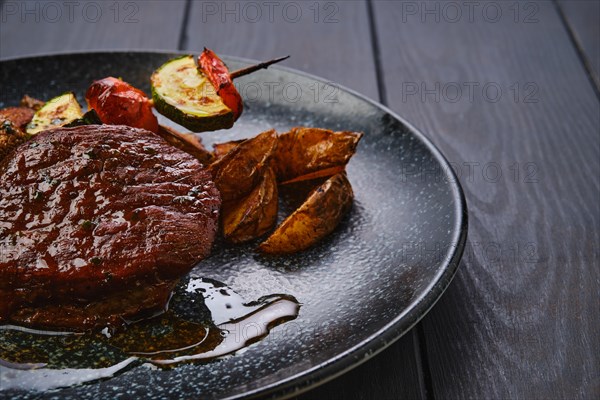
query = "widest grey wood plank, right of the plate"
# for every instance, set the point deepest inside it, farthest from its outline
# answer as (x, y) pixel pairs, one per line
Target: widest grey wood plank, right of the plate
(520, 319)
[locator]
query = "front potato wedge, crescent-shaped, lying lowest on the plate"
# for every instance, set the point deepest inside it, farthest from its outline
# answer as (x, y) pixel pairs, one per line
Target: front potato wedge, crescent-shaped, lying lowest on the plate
(317, 217)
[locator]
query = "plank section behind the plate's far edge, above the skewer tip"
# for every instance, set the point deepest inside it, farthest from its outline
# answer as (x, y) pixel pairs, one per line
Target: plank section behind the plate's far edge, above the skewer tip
(328, 39)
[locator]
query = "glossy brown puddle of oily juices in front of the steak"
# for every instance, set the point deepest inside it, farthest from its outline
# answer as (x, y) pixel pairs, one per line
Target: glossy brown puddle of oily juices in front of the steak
(206, 320)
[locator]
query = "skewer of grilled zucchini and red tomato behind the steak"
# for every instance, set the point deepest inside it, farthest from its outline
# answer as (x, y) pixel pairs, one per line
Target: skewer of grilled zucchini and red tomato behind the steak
(200, 97)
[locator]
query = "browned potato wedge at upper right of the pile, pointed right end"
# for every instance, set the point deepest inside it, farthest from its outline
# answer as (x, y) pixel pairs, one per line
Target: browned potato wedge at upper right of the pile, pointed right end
(302, 151)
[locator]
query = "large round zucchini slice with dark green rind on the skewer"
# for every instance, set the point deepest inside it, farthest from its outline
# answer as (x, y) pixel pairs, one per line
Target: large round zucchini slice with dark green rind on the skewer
(186, 96)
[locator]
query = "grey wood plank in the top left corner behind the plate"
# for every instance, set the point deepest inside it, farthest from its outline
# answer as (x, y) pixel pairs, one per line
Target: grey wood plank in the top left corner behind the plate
(35, 27)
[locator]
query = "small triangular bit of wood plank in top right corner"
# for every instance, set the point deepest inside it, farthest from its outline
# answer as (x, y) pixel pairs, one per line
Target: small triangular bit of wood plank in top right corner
(583, 17)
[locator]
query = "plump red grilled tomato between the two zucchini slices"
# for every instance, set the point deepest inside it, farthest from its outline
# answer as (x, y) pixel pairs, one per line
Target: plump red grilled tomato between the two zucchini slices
(118, 103)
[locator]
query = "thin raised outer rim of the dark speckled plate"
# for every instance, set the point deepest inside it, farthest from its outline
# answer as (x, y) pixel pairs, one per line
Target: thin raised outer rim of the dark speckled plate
(398, 326)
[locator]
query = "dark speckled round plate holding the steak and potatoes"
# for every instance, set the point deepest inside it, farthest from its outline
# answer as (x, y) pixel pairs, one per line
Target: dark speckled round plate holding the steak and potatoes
(360, 290)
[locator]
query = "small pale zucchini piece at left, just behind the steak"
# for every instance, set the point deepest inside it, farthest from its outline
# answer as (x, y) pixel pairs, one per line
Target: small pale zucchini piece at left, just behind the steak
(57, 112)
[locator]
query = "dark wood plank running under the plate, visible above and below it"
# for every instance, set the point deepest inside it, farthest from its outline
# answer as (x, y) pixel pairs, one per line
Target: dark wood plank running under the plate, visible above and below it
(337, 46)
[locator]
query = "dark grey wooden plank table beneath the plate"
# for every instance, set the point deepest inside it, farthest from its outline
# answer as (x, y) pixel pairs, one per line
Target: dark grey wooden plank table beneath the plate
(507, 90)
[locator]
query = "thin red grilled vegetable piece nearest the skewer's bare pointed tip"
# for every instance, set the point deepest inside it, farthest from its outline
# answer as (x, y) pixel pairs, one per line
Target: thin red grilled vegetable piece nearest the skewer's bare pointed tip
(217, 73)
